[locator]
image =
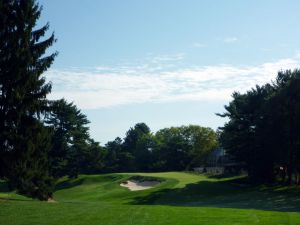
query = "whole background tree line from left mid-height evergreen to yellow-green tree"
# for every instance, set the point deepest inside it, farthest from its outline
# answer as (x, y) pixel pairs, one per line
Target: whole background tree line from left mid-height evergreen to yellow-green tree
(73, 152)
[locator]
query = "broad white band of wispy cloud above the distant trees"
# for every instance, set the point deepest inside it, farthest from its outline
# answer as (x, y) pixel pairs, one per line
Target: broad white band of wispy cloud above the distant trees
(148, 82)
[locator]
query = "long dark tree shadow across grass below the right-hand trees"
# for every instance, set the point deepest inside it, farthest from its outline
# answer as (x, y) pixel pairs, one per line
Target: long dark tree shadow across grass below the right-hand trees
(225, 194)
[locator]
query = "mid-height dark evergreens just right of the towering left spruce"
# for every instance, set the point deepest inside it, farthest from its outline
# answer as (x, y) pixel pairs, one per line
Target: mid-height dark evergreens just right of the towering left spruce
(73, 151)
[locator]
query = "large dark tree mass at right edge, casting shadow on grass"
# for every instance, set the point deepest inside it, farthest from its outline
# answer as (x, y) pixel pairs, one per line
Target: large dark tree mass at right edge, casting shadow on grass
(263, 130)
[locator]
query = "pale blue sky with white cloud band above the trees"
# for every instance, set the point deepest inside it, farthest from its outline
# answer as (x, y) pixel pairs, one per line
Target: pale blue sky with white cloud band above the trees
(165, 62)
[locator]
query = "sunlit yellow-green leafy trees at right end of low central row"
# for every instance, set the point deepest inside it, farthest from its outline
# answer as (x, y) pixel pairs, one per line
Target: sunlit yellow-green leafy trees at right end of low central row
(182, 148)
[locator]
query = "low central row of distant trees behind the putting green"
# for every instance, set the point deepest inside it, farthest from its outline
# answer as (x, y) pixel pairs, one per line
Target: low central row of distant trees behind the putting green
(175, 148)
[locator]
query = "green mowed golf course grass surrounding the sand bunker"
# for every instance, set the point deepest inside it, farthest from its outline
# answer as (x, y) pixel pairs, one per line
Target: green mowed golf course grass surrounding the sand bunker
(181, 198)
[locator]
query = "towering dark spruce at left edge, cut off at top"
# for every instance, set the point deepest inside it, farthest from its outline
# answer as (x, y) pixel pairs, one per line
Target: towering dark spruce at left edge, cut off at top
(23, 90)
